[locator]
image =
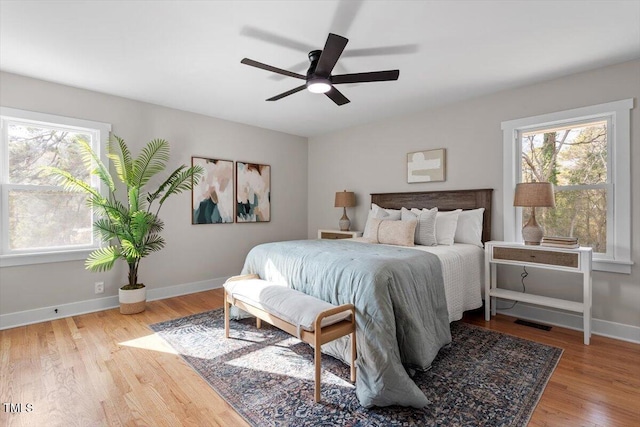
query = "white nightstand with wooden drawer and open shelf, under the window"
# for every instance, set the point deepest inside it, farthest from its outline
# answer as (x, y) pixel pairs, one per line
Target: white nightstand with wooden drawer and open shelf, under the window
(576, 260)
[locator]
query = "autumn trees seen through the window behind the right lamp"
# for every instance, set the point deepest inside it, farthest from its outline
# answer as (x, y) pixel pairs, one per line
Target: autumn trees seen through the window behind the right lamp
(574, 158)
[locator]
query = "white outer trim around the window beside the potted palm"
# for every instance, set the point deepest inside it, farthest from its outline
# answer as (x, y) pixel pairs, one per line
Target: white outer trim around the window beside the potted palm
(49, 255)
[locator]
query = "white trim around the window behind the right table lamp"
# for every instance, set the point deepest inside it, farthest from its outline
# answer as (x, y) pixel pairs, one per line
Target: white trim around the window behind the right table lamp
(619, 112)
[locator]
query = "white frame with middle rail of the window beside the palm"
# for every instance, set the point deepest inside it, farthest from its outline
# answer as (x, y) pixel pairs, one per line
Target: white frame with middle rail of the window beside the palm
(100, 133)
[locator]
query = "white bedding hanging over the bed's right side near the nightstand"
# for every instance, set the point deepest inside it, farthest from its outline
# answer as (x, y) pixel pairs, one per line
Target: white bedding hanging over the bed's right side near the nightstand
(463, 274)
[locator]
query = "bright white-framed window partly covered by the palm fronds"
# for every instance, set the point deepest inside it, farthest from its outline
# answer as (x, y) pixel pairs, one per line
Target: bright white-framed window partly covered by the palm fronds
(40, 221)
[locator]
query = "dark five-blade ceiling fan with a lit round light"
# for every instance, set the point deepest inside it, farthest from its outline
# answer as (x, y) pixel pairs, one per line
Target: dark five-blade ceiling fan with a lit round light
(319, 78)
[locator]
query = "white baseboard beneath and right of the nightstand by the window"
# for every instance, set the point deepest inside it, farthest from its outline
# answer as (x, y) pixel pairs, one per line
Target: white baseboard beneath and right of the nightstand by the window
(547, 316)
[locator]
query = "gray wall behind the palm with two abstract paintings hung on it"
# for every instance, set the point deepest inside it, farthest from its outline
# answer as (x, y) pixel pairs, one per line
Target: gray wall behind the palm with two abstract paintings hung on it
(193, 253)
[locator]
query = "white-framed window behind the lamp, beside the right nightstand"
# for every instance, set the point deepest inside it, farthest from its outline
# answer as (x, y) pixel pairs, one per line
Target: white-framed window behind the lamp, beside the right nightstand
(585, 153)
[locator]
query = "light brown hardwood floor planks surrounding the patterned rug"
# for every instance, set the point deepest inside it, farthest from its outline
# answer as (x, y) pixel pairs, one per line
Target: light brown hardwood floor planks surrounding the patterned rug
(108, 369)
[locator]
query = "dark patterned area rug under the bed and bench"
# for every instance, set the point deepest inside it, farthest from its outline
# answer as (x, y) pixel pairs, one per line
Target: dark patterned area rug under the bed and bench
(484, 378)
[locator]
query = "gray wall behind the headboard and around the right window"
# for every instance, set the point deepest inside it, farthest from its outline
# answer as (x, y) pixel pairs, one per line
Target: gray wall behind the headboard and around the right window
(372, 158)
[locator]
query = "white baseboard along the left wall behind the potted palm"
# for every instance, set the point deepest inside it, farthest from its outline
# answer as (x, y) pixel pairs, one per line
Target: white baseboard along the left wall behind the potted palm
(44, 314)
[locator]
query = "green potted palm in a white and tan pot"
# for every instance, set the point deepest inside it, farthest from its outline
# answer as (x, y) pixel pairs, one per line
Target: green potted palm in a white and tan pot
(129, 223)
